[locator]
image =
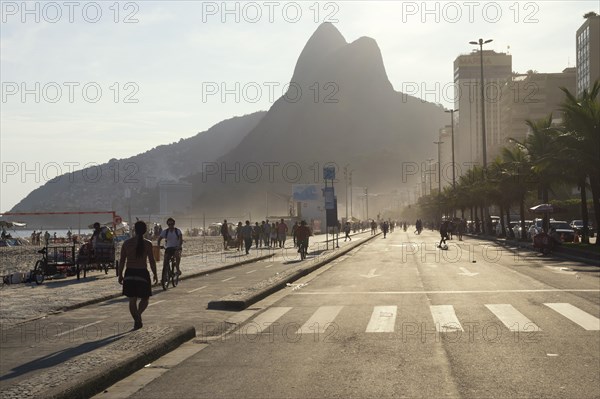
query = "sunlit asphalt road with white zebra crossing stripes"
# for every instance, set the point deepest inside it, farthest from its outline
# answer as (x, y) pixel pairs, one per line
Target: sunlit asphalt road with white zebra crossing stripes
(398, 317)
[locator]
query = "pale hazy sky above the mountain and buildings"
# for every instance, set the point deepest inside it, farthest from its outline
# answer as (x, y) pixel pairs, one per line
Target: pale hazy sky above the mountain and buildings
(84, 82)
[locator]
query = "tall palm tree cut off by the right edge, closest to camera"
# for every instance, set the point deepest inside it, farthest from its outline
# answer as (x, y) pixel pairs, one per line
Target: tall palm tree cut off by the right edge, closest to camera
(581, 139)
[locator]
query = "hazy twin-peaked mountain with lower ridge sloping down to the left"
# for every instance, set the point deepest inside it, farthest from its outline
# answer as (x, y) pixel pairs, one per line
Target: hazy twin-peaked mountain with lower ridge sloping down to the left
(340, 108)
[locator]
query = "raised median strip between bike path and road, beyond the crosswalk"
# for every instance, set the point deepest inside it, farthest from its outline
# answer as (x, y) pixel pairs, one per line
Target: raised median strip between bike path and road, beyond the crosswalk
(261, 292)
